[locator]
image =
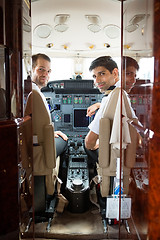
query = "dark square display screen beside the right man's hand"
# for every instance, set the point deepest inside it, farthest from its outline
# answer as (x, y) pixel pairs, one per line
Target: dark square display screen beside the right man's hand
(80, 119)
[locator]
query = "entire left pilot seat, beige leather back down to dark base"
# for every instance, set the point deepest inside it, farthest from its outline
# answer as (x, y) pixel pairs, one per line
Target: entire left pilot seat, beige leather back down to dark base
(45, 163)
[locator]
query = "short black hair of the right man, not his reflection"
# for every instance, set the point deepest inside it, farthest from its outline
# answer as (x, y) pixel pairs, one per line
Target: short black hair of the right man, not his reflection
(104, 61)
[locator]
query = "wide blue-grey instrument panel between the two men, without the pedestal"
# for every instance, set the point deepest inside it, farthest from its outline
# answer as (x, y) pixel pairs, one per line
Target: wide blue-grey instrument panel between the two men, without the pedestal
(68, 106)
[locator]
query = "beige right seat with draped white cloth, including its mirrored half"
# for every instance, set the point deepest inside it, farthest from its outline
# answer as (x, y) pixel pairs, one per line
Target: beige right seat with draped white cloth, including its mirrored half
(109, 141)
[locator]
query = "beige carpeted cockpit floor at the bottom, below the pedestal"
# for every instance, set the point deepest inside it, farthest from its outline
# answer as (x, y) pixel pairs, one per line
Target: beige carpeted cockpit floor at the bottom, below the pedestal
(75, 226)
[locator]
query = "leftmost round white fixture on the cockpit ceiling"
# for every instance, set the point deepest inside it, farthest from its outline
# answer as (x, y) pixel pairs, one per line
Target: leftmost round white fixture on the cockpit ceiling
(43, 30)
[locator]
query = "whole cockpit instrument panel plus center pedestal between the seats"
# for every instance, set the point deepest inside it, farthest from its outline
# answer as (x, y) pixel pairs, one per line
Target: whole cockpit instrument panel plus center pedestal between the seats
(68, 102)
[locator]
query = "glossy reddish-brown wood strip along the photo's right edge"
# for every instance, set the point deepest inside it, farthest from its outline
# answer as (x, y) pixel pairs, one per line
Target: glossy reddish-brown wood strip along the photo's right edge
(154, 149)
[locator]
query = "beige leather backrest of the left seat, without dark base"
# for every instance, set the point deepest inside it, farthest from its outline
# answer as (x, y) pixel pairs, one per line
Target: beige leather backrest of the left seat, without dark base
(44, 151)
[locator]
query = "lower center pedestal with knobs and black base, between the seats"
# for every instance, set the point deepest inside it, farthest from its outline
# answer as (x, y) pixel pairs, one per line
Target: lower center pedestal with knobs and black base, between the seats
(77, 187)
